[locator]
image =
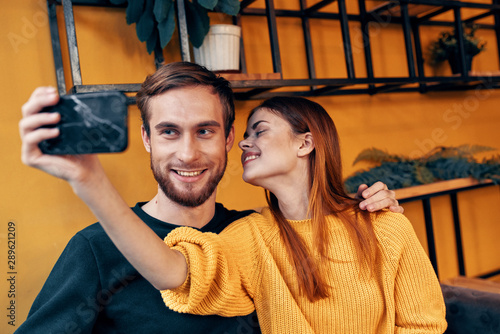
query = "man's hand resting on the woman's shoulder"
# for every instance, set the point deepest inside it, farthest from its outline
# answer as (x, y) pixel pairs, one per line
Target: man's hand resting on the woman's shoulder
(378, 197)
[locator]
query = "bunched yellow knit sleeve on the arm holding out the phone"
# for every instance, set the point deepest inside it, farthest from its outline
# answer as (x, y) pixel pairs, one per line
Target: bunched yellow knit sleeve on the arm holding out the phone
(216, 283)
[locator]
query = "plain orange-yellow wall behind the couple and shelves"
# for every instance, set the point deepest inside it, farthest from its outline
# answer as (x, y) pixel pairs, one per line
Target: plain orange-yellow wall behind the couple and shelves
(46, 213)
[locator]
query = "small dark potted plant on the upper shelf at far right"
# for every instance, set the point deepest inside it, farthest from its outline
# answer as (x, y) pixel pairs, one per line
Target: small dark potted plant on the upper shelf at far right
(446, 48)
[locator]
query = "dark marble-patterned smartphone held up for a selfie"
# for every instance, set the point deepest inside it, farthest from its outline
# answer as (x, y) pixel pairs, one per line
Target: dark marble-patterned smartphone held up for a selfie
(90, 123)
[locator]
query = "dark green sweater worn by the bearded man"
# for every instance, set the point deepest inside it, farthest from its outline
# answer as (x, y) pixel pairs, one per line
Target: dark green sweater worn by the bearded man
(94, 289)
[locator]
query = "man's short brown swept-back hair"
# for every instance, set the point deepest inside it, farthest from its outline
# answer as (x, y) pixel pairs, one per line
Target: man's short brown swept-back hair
(185, 74)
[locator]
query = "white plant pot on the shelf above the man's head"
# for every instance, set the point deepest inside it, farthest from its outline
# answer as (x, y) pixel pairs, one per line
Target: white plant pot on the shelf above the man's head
(220, 50)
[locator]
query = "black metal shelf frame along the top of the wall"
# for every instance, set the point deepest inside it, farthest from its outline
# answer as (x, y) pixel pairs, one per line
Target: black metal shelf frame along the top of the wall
(409, 14)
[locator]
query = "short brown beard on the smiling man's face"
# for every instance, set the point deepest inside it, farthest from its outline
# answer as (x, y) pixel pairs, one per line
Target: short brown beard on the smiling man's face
(186, 197)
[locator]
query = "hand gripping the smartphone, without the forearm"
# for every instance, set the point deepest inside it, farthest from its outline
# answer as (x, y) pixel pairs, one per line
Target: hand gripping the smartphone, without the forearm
(71, 168)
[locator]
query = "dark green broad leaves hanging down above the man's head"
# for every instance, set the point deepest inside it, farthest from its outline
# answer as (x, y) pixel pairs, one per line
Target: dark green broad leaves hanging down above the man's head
(155, 19)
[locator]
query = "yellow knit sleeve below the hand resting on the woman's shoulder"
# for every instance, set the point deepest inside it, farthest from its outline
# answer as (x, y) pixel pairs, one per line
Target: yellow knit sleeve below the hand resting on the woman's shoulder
(419, 303)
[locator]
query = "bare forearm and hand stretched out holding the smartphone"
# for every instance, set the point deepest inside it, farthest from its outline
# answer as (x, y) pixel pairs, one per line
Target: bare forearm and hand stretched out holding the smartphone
(162, 267)
